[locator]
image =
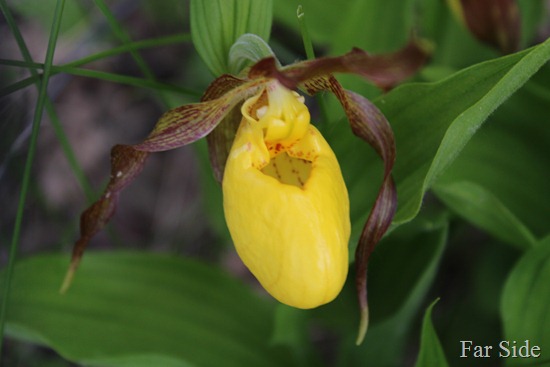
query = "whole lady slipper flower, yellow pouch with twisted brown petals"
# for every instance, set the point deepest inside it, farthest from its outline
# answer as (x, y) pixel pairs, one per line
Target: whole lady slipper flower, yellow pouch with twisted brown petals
(285, 201)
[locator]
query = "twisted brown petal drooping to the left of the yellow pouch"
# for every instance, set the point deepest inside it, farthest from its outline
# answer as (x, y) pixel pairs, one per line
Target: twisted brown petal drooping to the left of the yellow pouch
(177, 127)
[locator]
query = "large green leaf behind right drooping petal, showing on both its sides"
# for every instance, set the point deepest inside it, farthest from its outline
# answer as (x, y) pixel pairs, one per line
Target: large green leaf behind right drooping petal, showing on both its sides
(432, 123)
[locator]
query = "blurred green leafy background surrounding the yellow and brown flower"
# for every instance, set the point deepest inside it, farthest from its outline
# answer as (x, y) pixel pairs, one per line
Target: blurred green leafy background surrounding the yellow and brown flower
(163, 285)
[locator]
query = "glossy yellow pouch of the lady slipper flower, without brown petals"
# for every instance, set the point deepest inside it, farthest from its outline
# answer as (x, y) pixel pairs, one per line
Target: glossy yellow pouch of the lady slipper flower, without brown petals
(285, 201)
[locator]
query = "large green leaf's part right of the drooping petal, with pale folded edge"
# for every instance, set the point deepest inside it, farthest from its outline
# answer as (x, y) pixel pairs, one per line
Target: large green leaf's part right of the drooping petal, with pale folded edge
(433, 122)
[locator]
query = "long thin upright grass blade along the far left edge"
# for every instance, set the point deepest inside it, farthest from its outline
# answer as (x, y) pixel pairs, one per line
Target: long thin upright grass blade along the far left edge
(30, 158)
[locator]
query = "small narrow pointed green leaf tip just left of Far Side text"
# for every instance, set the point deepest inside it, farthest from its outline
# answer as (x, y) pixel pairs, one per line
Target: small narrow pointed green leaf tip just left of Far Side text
(431, 352)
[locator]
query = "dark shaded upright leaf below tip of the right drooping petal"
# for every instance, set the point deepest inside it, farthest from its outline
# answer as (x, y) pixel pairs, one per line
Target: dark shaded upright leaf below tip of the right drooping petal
(401, 272)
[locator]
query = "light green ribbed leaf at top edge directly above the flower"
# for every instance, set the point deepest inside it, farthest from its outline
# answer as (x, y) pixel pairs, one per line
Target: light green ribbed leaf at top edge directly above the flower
(217, 24)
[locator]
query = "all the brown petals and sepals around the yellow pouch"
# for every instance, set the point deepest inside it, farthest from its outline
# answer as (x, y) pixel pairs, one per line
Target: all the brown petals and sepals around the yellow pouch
(188, 123)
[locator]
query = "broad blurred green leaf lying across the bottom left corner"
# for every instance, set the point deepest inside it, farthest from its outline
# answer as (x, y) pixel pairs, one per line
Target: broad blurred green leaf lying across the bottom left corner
(141, 309)
